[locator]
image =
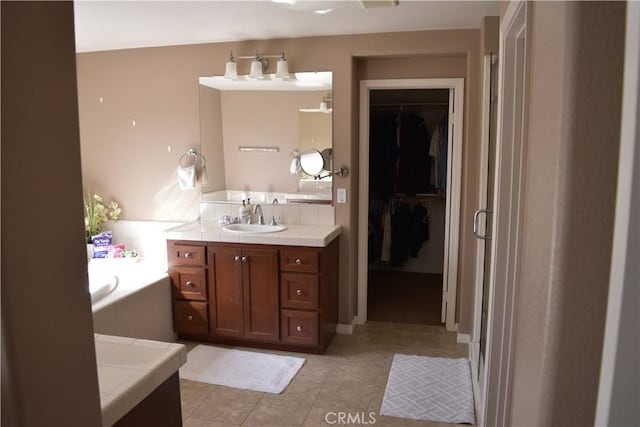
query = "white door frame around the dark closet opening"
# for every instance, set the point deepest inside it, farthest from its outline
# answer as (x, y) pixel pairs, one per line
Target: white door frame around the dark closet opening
(454, 180)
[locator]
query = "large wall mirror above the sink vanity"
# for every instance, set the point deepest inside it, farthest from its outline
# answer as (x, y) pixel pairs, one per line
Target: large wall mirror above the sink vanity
(270, 137)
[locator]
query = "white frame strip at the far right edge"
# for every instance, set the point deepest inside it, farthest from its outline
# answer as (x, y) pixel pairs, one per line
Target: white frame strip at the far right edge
(618, 389)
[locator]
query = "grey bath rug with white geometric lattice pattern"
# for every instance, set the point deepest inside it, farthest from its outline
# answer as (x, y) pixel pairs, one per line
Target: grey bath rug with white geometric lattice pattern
(429, 389)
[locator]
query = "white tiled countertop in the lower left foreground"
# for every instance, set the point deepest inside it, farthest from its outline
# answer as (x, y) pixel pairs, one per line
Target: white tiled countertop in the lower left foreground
(130, 369)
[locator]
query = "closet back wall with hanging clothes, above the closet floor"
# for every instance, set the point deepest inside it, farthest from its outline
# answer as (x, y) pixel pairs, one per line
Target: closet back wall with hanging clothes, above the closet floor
(407, 176)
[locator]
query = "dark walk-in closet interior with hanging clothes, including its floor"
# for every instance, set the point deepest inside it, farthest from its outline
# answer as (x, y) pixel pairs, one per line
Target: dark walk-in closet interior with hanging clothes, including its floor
(408, 137)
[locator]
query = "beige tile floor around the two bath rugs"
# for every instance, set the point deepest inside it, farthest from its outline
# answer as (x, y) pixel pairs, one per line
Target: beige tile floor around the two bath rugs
(350, 377)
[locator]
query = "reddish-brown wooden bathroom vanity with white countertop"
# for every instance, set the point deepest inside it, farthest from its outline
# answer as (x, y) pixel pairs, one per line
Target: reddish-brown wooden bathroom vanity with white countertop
(272, 290)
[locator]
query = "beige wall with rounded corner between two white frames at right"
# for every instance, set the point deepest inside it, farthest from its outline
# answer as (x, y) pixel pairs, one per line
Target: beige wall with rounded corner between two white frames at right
(571, 167)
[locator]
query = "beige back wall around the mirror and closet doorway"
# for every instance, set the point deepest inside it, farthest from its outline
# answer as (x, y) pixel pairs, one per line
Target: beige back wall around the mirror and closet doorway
(159, 88)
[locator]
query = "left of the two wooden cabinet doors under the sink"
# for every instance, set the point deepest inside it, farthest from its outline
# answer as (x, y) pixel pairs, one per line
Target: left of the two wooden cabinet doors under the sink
(225, 291)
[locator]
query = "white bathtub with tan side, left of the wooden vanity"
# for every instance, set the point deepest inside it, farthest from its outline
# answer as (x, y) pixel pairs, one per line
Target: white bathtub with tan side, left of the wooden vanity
(131, 299)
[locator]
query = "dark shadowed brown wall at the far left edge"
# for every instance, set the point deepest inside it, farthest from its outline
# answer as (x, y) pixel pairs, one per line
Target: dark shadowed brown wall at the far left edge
(49, 372)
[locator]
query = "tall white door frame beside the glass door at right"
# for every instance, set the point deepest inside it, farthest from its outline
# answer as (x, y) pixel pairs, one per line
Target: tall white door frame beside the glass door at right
(511, 143)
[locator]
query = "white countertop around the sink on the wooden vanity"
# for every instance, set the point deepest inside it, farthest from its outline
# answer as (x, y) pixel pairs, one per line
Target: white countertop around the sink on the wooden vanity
(295, 235)
